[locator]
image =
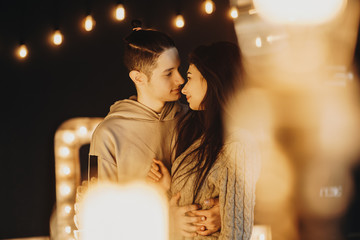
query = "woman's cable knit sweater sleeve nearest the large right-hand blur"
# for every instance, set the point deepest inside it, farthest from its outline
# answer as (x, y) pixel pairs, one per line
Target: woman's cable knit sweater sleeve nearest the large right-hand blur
(237, 190)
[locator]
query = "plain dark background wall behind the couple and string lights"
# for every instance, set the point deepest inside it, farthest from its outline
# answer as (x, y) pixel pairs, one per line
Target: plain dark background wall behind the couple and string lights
(81, 78)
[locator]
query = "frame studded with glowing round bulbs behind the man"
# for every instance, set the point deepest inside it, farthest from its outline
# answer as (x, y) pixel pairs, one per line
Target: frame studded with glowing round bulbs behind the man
(69, 137)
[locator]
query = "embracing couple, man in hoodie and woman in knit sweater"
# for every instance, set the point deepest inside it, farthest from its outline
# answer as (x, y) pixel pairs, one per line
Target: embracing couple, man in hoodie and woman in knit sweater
(210, 175)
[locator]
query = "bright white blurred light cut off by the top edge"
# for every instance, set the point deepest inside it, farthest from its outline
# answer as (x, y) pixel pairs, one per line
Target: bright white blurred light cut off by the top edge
(299, 11)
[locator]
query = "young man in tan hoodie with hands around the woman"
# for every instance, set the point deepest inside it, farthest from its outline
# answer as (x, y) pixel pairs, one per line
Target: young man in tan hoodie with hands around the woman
(136, 130)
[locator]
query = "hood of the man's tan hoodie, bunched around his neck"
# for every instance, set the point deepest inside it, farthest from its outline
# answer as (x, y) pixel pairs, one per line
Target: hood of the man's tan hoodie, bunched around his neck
(132, 109)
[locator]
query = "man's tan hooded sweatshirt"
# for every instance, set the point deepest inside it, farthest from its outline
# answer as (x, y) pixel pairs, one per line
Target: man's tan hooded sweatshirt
(130, 136)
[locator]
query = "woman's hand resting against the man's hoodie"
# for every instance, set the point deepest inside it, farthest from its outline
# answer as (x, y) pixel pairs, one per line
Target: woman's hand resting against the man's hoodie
(158, 173)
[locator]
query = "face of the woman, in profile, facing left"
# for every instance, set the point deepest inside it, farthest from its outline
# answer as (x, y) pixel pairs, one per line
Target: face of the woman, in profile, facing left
(195, 88)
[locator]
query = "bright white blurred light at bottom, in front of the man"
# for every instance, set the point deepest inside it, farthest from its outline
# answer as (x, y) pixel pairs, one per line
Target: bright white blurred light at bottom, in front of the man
(133, 211)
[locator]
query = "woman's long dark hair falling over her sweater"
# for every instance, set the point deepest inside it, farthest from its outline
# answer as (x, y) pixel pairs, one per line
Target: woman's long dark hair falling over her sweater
(220, 65)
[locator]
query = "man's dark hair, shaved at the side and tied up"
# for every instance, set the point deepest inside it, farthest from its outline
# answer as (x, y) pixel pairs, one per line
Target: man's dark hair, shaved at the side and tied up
(142, 49)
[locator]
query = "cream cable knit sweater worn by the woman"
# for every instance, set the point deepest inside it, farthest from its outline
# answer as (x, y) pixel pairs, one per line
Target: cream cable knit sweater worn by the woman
(232, 179)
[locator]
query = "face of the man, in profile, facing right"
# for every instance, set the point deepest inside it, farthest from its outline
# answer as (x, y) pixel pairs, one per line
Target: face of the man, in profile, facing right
(164, 84)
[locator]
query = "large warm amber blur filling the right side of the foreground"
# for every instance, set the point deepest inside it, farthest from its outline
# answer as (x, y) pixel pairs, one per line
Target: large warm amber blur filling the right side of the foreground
(302, 72)
